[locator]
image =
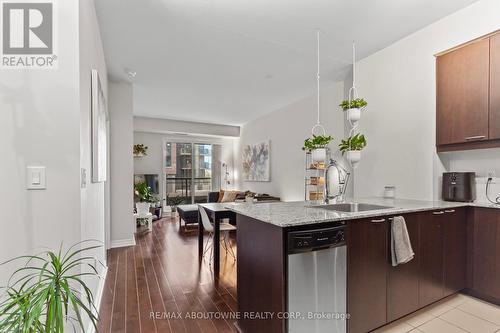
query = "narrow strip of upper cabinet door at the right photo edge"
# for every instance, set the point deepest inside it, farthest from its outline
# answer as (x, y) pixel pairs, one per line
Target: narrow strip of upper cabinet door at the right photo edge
(495, 87)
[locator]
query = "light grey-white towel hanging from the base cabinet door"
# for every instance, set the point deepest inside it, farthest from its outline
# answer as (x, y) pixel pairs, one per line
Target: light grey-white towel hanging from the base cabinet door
(401, 249)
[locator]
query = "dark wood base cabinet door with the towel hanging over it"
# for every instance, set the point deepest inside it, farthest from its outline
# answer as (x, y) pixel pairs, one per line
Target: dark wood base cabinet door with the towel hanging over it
(403, 280)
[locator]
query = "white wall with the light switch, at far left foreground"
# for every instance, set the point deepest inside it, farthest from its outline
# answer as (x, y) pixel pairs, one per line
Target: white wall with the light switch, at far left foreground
(40, 125)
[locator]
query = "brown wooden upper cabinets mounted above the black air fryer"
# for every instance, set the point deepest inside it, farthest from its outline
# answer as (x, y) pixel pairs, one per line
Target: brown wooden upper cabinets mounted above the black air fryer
(468, 96)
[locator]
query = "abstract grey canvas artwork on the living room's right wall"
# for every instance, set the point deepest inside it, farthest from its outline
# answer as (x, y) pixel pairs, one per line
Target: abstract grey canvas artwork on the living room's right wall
(256, 162)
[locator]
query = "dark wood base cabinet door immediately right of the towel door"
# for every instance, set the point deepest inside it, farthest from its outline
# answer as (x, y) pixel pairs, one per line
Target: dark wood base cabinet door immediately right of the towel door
(431, 257)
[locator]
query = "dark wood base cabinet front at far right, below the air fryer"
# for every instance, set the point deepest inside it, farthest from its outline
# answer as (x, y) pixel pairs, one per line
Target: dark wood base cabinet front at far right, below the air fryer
(486, 253)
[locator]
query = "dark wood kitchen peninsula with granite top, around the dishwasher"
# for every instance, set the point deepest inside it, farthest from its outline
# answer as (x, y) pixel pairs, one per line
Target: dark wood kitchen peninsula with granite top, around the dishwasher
(446, 237)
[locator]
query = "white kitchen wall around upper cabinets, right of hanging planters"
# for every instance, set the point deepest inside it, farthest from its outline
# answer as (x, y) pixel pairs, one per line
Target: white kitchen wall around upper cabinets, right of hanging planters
(399, 85)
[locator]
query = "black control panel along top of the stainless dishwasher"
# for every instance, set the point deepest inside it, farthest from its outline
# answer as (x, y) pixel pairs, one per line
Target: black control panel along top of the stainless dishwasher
(312, 240)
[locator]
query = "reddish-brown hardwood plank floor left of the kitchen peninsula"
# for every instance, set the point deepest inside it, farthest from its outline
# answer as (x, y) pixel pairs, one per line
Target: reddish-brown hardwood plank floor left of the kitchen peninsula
(159, 285)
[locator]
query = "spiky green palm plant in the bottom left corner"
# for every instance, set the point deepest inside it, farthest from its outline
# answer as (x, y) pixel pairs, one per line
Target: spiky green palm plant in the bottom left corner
(48, 292)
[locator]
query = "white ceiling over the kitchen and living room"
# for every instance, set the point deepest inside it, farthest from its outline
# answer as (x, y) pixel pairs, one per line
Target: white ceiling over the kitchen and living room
(230, 61)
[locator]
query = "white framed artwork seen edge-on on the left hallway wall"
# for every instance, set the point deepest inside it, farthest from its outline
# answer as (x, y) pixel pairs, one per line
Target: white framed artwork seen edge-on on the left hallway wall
(99, 118)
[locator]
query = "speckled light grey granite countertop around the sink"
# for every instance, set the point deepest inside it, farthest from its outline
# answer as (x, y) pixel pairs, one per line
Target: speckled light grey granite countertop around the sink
(289, 214)
